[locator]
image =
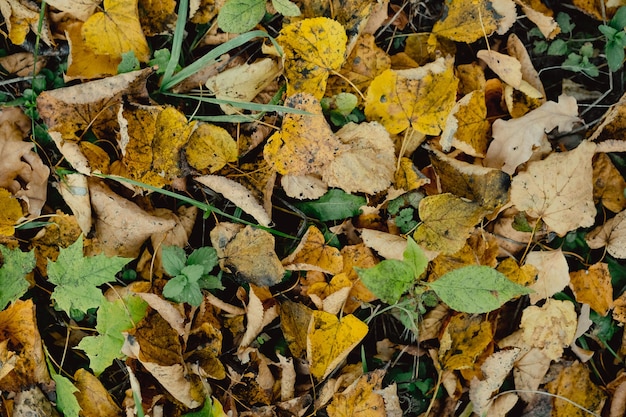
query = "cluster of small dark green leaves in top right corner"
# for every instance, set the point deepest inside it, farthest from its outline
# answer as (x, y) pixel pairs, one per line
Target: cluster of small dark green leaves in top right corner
(579, 48)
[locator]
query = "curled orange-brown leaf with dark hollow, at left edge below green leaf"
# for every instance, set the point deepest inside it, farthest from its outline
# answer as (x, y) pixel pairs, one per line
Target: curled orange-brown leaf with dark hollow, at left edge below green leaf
(21, 350)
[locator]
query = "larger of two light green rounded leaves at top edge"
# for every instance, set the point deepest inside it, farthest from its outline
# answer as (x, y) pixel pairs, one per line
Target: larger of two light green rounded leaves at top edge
(237, 16)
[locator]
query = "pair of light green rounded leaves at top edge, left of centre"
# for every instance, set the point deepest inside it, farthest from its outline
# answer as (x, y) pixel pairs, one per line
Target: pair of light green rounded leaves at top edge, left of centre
(237, 16)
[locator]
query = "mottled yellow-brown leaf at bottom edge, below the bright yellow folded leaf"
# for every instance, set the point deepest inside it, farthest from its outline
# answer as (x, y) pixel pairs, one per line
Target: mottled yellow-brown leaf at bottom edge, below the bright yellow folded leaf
(361, 399)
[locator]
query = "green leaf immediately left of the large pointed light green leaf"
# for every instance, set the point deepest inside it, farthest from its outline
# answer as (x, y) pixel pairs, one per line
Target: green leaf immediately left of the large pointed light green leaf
(388, 280)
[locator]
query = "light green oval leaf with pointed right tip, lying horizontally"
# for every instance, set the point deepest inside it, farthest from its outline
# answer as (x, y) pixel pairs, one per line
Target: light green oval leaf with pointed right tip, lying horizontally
(476, 289)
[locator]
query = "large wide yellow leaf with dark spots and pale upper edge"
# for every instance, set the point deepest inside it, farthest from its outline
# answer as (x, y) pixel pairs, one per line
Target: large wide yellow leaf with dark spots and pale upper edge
(420, 98)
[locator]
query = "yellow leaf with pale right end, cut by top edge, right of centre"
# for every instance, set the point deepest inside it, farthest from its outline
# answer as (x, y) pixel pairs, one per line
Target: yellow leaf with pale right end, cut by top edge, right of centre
(468, 21)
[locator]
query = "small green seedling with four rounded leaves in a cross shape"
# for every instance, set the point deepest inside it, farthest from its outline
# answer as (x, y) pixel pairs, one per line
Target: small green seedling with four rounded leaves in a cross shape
(190, 275)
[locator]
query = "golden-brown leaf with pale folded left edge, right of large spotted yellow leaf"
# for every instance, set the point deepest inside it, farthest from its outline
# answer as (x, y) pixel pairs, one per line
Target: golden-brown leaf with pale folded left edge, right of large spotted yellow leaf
(467, 126)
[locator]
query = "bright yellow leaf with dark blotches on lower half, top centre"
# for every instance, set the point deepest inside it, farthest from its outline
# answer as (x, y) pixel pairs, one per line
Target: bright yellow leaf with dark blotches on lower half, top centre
(313, 48)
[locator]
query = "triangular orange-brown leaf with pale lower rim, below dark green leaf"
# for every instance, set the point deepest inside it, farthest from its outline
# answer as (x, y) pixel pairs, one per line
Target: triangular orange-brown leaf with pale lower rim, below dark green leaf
(313, 254)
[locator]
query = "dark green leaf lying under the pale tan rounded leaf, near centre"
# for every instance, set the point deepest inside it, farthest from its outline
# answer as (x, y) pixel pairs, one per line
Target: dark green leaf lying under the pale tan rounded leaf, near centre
(336, 204)
